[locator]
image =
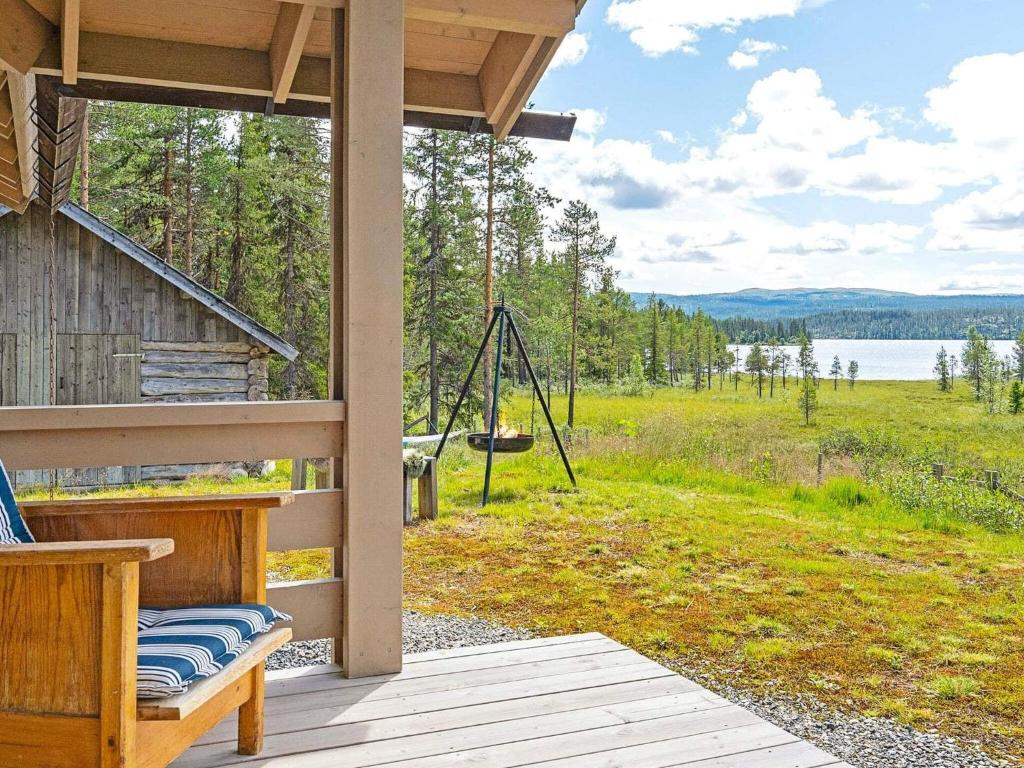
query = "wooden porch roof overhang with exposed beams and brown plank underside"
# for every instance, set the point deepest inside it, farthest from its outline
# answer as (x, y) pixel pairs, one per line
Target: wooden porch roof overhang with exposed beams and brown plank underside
(471, 65)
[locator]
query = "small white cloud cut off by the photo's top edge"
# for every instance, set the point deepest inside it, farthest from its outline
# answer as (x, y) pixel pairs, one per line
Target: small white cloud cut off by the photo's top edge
(661, 27)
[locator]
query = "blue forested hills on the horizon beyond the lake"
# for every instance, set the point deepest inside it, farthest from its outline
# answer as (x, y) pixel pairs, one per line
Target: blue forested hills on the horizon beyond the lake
(854, 314)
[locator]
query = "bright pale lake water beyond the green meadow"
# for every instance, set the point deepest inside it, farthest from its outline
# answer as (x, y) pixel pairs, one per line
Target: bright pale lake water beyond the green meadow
(886, 361)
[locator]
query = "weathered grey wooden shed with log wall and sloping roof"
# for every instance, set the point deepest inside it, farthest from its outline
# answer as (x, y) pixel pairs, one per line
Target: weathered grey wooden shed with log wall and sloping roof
(129, 328)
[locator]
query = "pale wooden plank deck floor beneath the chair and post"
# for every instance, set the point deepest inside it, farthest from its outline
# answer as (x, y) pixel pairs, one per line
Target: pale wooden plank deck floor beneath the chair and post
(581, 702)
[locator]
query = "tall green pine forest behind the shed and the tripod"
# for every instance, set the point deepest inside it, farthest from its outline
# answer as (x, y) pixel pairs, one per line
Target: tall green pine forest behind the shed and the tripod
(241, 202)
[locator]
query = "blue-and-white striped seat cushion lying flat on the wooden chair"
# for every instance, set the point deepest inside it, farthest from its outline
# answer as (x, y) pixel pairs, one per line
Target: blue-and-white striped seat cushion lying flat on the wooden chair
(180, 647)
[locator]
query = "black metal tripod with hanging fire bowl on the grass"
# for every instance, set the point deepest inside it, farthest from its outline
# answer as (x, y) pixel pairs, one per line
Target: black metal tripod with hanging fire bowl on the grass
(491, 442)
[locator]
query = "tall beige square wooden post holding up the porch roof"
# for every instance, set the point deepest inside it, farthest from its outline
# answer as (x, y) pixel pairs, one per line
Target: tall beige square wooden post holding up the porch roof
(367, 97)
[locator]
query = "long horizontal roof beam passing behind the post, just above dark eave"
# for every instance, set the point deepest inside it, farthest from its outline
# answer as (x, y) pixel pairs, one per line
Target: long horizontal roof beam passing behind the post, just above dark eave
(216, 69)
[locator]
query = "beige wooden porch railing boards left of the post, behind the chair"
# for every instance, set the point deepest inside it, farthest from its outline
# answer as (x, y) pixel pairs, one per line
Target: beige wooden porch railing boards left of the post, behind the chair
(81, 437)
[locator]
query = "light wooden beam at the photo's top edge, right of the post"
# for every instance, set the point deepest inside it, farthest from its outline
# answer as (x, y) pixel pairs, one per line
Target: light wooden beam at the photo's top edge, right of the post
(547, 18)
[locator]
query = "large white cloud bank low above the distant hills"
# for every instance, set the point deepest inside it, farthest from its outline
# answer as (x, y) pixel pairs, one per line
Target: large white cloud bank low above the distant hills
(701, 214)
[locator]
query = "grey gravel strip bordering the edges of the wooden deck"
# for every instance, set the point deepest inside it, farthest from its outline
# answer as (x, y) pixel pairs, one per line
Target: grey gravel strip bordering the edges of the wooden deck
(865, 743)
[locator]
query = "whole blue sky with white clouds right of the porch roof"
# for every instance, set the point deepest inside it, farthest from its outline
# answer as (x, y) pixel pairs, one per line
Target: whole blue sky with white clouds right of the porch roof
(734, 144)
